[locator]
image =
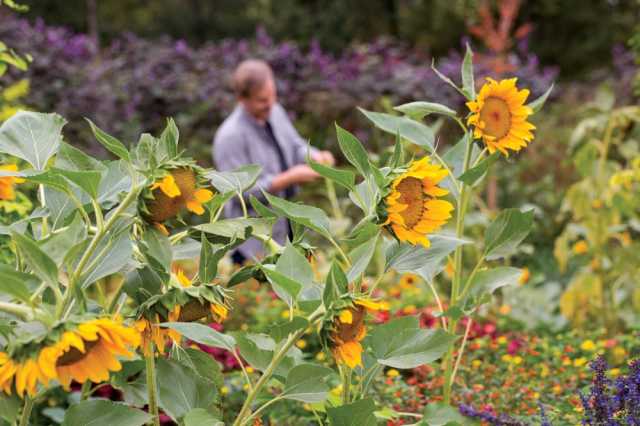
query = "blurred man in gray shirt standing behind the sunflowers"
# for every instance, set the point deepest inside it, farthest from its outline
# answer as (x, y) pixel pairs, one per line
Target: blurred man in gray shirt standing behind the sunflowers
(259, 131)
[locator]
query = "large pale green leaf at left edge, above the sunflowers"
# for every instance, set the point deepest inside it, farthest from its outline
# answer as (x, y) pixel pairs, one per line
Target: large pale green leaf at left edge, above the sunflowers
(35, 137)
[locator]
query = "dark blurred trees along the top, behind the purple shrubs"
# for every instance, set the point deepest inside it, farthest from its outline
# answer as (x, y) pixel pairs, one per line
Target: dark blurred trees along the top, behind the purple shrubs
(576, 35)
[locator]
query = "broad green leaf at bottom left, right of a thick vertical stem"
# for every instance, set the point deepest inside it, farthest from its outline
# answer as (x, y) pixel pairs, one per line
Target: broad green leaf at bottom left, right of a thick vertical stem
(181, 391)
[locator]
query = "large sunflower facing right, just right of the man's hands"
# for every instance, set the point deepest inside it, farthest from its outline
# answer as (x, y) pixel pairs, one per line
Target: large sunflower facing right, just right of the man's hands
(413, 208)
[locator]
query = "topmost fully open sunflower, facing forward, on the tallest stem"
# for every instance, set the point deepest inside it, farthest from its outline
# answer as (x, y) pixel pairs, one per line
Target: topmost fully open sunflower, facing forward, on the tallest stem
(499, 116)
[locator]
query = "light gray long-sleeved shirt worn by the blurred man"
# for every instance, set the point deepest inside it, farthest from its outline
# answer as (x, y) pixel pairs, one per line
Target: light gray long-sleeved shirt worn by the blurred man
(242, 140)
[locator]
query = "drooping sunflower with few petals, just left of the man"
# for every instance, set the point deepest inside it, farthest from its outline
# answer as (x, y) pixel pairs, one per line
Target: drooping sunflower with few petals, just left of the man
(175, 191)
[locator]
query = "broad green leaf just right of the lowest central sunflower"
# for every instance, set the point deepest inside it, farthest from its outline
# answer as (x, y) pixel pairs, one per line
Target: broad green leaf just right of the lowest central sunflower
(401, 343)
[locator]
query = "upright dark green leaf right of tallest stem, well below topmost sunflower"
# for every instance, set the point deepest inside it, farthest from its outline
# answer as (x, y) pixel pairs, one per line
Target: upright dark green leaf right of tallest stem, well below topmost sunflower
(505, 233)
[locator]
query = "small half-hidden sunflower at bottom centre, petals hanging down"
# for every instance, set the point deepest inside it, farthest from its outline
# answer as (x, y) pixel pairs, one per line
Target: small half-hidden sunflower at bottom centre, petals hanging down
(348, 330)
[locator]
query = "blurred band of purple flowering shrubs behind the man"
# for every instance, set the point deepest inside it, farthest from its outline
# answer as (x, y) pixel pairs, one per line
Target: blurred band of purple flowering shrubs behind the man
(132, 84)
